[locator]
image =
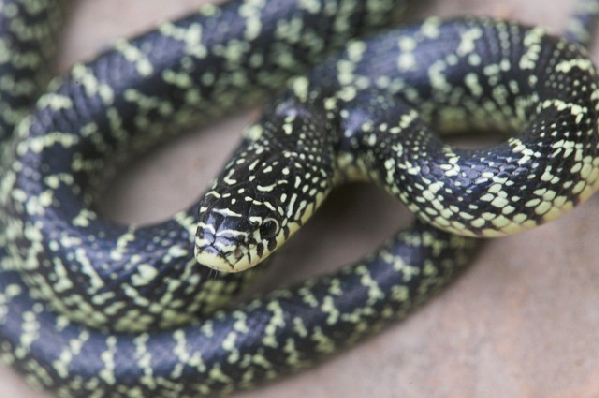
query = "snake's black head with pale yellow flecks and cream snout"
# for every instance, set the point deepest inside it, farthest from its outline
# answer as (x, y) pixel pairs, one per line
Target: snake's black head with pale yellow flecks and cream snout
(270, 187)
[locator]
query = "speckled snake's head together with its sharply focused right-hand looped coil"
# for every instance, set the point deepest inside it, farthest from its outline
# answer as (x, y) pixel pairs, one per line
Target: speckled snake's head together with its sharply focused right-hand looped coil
(456, 74)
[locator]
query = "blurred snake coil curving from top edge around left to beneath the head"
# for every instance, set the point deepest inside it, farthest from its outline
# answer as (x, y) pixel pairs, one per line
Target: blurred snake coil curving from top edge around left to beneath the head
(98, 117)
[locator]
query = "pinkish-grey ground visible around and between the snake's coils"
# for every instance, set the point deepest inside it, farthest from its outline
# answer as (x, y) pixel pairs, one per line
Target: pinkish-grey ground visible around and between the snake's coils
(522, 321)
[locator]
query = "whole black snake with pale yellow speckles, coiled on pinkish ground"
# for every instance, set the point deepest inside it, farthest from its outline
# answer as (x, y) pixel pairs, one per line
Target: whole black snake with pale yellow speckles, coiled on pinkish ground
(90, 307)
